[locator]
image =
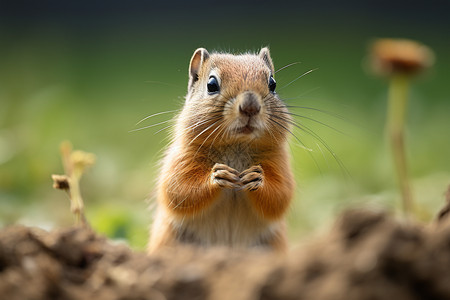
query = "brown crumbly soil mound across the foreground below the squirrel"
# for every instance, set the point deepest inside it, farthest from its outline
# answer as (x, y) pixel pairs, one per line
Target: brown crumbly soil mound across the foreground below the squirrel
(366, 255)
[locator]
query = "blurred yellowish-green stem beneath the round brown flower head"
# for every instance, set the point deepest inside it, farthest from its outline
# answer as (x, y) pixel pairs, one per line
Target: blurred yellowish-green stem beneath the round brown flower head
(397, 102)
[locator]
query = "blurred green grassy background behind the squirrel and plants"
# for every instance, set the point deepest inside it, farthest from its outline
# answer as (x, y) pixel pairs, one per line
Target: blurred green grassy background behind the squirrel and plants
(88, 71)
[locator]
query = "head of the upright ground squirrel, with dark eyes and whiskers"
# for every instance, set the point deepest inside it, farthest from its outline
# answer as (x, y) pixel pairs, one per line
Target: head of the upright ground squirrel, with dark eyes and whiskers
(233, 98)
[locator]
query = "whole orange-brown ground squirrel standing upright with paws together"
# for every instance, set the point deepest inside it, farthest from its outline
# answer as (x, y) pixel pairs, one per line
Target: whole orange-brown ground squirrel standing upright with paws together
(226, 178)
